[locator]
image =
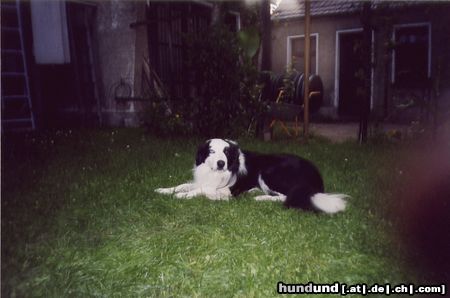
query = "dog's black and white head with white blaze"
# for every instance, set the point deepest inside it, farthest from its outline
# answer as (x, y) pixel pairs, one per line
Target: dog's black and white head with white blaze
(220, 155)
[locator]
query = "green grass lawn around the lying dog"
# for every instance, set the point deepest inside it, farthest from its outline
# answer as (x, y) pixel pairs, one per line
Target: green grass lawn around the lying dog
(80, 218)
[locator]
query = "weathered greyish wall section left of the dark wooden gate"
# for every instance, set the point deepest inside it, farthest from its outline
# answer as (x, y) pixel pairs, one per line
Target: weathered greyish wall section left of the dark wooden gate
(116, 47)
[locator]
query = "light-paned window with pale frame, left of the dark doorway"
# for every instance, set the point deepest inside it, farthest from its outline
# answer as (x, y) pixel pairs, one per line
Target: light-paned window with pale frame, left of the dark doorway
(296, 57)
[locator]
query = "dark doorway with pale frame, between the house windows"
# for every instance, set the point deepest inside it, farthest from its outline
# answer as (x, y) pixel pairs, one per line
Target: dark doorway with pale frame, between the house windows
(350, 80)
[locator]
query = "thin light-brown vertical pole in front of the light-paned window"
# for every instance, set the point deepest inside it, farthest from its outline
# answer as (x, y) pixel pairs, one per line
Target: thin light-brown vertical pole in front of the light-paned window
(307, 70)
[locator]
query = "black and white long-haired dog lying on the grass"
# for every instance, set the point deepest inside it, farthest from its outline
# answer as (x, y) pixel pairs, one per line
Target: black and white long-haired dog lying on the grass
(222, 170)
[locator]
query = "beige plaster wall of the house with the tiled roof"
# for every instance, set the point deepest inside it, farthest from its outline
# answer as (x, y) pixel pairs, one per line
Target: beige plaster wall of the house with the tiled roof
(327, 26)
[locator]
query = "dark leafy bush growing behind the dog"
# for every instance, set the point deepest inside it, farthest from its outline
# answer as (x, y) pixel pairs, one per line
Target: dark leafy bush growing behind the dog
(224, 87)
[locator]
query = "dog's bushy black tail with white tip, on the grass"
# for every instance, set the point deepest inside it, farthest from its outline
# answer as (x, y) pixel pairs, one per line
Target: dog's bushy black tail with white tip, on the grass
(308, 199)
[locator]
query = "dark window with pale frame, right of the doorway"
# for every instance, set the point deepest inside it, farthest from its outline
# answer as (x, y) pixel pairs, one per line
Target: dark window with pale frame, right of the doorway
(411, 60)
